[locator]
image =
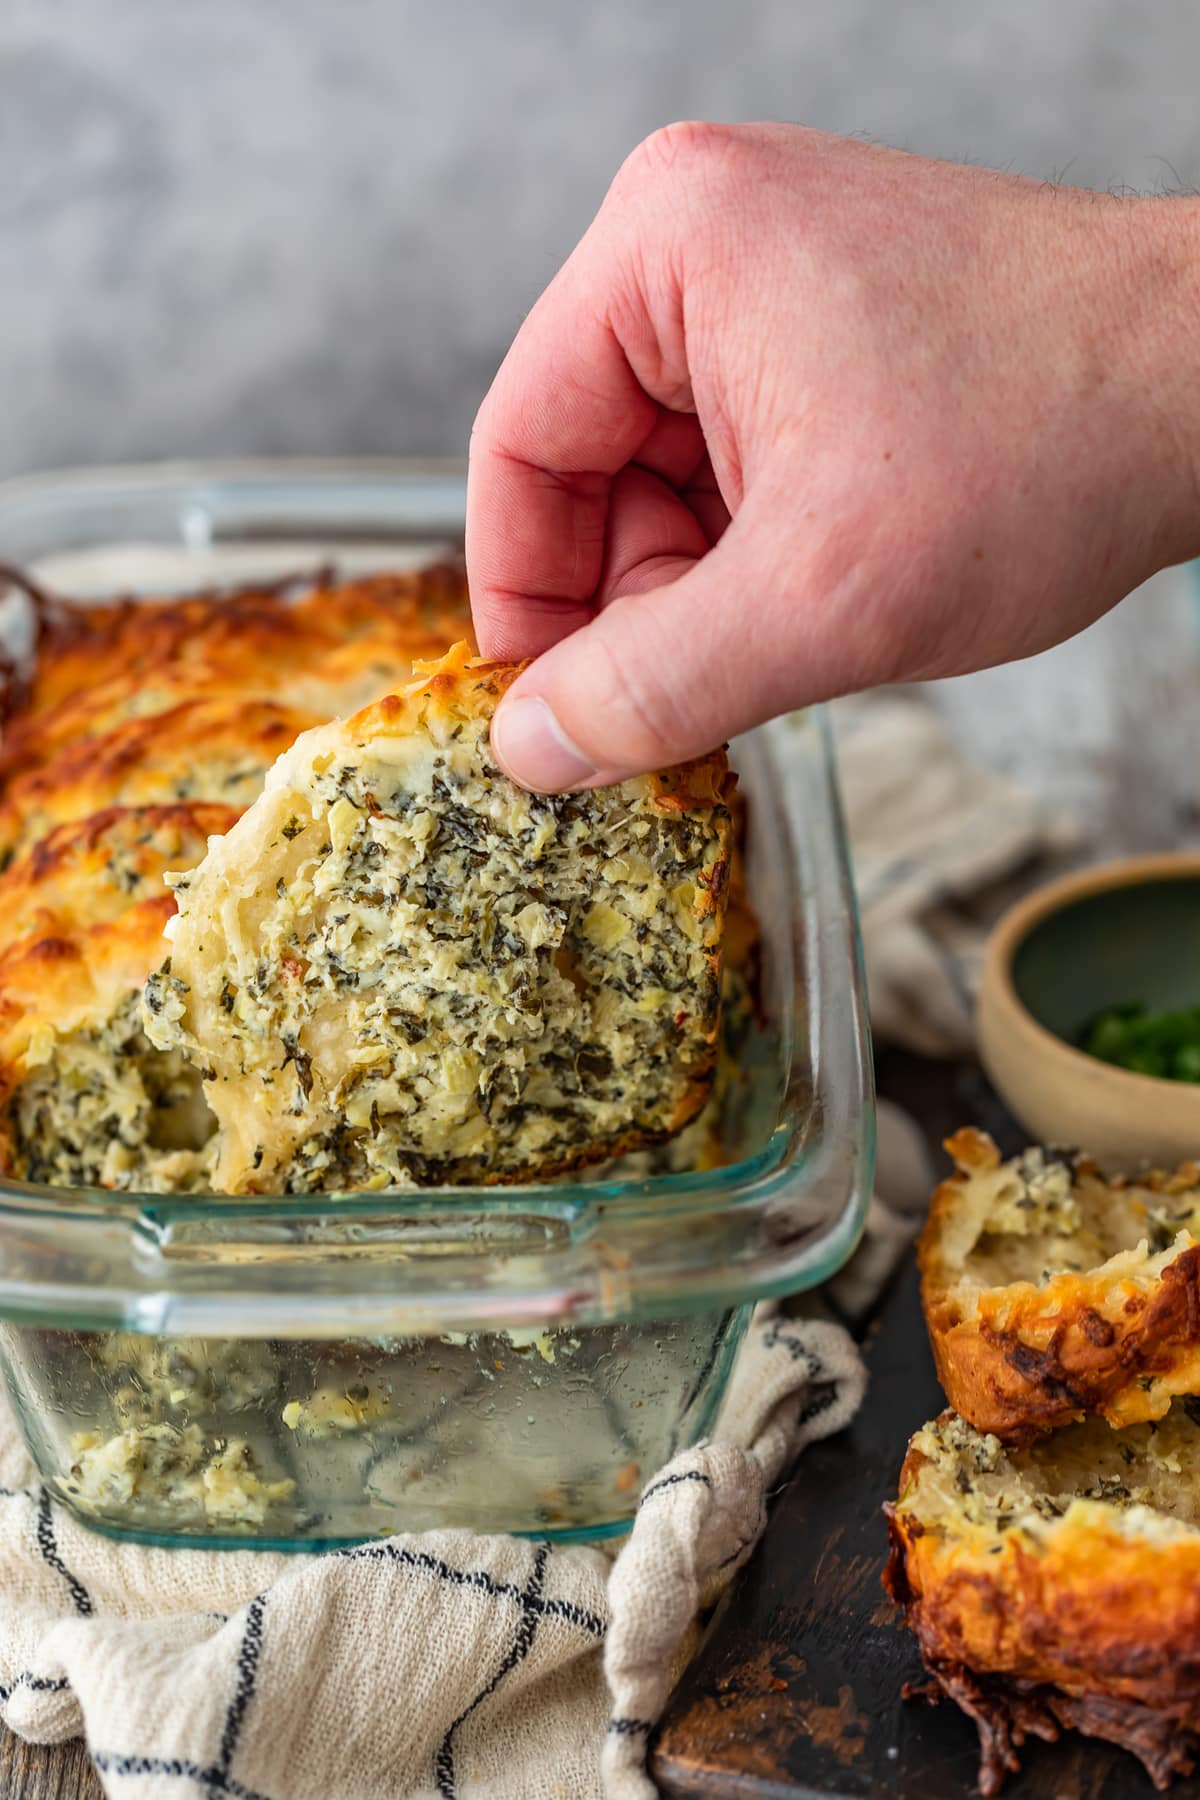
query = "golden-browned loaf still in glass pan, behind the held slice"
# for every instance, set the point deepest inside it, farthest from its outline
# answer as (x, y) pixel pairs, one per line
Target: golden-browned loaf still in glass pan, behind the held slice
(139, 732)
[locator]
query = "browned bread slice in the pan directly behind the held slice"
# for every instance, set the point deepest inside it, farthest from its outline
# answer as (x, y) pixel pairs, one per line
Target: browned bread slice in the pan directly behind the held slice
(85, 1101)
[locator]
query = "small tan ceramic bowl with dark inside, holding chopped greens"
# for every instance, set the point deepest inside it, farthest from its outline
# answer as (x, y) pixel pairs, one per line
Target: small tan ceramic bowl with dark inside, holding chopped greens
(1104, 937)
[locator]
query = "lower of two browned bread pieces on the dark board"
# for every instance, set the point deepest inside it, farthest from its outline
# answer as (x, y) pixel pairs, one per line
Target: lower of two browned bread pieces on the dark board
(1059, 1585)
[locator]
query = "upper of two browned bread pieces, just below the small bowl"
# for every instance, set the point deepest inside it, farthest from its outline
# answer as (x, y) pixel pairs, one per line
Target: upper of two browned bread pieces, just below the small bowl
(1052, 1293)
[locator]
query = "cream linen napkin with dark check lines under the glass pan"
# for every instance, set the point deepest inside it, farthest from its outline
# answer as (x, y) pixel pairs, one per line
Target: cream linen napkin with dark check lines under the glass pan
(461, 1666)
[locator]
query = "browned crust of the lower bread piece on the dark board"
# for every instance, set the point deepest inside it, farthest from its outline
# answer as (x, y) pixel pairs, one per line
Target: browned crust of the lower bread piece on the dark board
(1073, 1623)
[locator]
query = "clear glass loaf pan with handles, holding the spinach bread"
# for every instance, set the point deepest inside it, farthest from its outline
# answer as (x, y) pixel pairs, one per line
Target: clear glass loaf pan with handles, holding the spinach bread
(310, 1372)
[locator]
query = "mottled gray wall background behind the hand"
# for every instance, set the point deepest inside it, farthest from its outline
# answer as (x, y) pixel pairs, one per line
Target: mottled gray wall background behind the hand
(264, 226)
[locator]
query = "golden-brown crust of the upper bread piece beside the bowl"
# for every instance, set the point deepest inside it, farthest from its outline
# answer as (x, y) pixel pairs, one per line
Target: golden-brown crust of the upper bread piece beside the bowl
(1120, 1340)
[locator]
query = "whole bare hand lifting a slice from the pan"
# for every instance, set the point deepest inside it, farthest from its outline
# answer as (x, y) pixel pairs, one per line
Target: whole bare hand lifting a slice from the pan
(803, 417)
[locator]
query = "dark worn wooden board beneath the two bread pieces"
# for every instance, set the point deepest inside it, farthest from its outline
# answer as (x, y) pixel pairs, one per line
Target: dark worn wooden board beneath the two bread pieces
(796, 1691)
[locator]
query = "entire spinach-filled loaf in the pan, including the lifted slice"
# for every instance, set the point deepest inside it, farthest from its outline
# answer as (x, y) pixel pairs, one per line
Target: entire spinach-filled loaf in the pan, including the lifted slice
(397, 967)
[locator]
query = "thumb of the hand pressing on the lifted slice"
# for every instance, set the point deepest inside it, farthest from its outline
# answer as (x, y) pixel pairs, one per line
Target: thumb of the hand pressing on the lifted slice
(659, 676)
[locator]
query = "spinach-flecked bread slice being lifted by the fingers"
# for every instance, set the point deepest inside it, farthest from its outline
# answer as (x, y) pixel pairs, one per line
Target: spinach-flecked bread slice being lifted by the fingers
(402, 967)
